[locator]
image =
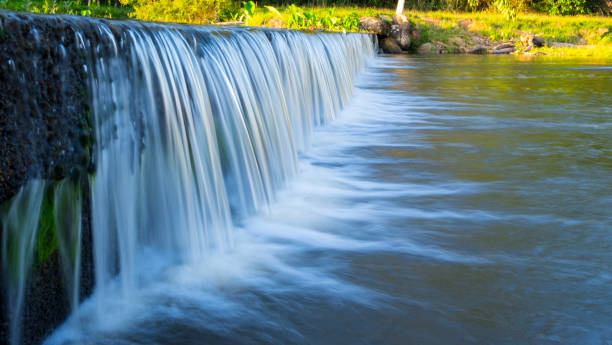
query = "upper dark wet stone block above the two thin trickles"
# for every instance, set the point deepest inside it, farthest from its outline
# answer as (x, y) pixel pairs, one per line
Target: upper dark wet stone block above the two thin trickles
(44, 127)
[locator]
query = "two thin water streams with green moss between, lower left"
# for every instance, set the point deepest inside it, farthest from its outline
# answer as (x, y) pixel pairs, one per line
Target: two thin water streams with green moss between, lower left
(41, 214)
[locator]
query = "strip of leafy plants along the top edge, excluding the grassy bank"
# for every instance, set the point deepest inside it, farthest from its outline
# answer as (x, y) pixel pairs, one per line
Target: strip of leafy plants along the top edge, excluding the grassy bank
(208, 11)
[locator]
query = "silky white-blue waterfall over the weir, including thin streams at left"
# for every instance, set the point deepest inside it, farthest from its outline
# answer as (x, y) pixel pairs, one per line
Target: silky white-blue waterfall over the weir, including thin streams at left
(195, 128)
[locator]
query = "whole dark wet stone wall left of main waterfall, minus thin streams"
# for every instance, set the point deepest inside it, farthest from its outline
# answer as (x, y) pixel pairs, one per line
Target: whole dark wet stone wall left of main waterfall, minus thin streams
(45, 132)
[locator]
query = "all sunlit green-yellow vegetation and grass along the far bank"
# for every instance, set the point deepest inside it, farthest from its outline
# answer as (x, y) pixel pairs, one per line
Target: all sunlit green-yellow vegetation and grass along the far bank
(489, 20)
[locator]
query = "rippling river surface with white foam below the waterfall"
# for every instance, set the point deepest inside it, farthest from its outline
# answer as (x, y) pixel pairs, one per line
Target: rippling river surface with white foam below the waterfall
(456, 200)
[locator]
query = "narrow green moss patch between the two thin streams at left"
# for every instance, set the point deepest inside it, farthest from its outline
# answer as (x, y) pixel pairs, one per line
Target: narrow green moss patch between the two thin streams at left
(46, 239)
